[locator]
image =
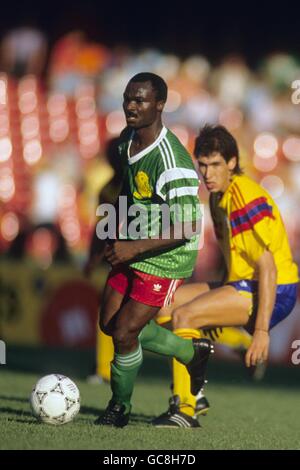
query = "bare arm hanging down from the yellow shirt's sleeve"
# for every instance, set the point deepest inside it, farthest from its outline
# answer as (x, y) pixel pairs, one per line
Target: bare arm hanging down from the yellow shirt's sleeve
(267, 280)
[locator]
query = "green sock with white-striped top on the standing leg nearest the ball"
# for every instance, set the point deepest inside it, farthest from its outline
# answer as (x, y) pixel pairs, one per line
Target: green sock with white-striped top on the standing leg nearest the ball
(124, 370)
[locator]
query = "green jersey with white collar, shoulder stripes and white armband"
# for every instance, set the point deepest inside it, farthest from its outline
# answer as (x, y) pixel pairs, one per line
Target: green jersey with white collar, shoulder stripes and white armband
(162, 174)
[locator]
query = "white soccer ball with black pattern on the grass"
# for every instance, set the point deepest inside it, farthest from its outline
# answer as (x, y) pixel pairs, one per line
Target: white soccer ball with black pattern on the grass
(55, 399)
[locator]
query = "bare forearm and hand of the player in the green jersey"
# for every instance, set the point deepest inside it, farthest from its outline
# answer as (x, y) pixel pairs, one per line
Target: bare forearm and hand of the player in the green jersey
(122, 251)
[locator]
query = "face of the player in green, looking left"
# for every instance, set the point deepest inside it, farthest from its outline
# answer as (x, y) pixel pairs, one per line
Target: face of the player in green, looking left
(140, 105)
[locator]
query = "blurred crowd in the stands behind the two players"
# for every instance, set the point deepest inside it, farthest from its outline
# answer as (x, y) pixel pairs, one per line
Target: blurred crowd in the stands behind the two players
(59, 108)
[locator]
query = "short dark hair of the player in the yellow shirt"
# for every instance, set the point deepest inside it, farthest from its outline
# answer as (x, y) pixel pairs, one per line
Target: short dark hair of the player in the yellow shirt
(213, 139)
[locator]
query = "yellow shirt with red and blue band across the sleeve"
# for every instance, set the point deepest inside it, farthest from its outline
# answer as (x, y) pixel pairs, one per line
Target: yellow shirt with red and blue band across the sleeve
(246, 222)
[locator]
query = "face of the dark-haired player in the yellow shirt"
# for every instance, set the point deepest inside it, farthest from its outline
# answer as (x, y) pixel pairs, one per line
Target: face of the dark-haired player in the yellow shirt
(216, 171)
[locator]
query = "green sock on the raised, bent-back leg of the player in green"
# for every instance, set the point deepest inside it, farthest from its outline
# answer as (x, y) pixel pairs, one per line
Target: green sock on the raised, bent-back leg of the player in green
(157, 339)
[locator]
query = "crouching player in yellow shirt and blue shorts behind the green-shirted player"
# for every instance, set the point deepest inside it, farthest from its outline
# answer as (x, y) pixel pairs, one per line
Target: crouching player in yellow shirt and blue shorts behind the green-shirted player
(260, 290)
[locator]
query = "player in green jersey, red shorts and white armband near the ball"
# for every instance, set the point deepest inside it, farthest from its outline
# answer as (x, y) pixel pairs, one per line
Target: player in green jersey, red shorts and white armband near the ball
(148, 267)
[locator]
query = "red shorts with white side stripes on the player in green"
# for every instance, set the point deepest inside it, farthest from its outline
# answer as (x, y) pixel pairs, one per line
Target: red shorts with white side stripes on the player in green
(142, 287)
